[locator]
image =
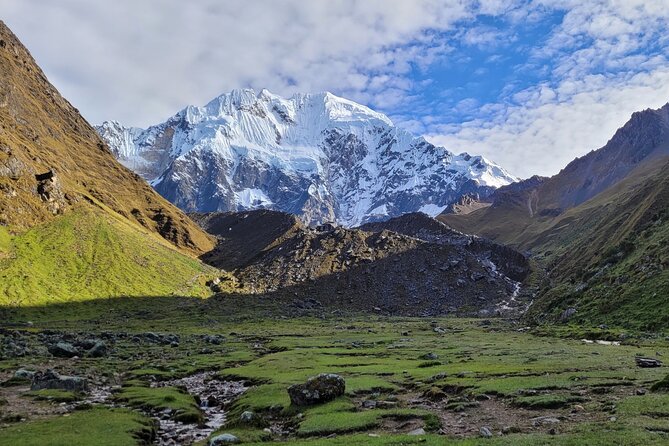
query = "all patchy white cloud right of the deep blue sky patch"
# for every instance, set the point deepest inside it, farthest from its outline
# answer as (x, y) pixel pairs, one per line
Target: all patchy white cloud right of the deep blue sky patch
(606, 68)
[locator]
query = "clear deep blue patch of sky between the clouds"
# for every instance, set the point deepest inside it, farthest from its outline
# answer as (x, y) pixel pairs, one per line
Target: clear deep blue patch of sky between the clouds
(489, 59)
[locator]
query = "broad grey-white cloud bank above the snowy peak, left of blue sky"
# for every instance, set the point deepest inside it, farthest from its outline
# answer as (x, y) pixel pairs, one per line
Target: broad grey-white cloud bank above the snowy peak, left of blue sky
(140, 61)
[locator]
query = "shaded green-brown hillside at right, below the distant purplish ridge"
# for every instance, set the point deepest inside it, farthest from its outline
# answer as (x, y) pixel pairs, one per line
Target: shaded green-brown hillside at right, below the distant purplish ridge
(606, 257)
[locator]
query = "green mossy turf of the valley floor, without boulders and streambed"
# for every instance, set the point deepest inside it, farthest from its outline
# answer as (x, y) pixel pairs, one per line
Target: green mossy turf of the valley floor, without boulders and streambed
(485, 374)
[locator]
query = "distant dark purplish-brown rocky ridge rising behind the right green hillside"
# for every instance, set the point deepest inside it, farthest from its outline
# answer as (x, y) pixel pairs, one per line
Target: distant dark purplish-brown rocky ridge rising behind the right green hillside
(513, 212)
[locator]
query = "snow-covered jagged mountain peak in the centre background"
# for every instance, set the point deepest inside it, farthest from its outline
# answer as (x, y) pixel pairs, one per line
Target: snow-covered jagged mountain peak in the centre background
(319, 156)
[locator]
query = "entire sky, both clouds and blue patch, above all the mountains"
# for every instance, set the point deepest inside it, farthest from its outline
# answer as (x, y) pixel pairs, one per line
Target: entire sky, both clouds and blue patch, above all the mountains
(530, 84)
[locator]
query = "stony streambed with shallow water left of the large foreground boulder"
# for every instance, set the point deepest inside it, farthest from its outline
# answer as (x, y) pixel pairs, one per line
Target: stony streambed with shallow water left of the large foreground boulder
(213, 396)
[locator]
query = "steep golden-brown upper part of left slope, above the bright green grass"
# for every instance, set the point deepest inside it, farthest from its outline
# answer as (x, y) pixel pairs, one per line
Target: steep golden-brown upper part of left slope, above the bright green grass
(52, 160)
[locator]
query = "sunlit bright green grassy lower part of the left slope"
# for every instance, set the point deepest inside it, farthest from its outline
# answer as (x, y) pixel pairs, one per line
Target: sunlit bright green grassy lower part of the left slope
(89, 254)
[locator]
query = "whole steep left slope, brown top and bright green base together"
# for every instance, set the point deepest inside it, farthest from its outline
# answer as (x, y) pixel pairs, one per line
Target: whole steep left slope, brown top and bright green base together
(74, 223)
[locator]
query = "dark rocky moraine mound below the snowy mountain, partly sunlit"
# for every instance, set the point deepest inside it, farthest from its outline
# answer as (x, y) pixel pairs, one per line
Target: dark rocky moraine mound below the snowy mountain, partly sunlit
(414, 266)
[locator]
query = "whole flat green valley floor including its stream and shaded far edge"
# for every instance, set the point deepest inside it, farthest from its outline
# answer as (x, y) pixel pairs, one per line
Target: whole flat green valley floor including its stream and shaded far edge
(408, 380)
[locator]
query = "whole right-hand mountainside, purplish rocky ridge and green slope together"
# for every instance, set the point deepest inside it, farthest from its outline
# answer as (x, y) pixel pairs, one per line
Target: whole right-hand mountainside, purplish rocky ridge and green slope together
(598, 229)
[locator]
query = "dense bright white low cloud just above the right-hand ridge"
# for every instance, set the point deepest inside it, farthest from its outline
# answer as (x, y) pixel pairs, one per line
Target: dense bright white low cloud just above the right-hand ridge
(545, 135)
